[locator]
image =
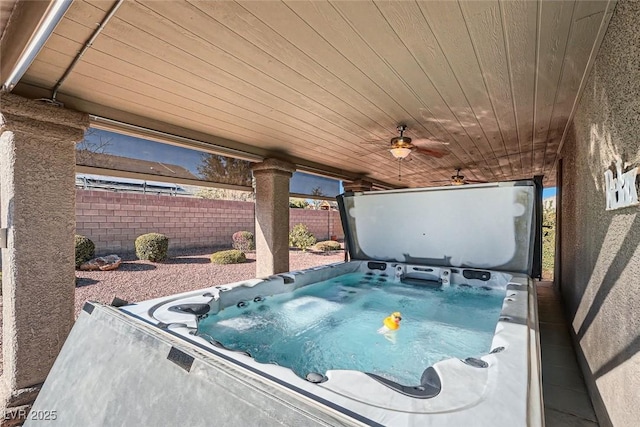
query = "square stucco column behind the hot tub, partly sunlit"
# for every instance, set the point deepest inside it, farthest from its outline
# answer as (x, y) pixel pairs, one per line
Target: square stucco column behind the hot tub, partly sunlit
(272, 178)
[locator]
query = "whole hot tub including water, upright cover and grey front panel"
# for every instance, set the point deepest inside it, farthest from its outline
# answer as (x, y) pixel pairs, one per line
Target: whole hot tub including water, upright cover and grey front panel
(472, 241)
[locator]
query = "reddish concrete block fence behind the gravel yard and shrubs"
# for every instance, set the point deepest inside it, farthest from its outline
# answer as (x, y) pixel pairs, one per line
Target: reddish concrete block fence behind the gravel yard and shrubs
(114, 220)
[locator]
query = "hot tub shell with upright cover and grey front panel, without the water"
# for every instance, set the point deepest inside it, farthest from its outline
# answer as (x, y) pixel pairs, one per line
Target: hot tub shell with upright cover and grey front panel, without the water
(142, 364)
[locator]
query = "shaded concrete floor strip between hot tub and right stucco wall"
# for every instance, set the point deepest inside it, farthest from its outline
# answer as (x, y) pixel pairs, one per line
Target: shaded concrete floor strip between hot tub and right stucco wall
(566, 401)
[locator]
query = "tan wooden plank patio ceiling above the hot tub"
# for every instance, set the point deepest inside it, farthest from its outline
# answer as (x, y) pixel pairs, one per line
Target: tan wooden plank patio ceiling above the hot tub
(492, 84)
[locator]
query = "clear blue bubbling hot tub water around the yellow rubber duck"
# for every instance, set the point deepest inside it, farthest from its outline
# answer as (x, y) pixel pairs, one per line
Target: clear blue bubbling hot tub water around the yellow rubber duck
(333, 325)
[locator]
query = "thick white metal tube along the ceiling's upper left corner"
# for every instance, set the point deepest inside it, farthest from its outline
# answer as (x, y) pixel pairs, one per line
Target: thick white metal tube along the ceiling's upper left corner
(50, 20)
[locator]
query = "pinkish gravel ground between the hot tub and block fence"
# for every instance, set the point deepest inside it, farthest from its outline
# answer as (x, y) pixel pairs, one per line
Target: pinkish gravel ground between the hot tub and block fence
(183, 271)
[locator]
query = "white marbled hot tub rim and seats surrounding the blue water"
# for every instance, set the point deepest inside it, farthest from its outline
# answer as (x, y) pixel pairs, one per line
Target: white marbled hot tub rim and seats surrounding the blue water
(500, 387)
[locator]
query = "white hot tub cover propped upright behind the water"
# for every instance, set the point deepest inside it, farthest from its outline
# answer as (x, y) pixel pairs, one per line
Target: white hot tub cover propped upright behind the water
(489, 226)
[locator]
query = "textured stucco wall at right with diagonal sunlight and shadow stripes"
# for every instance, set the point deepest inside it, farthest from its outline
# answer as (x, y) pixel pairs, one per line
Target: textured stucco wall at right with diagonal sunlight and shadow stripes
(600, 250)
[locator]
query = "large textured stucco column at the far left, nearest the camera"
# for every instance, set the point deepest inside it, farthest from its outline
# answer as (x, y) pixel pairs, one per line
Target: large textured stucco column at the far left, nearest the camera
(37, 187)
